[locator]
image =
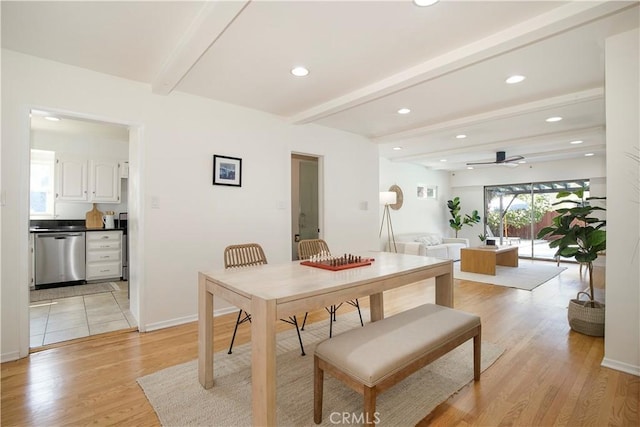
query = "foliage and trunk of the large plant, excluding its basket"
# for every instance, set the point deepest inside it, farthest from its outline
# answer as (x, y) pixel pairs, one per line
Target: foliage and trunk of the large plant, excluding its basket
(578, 234)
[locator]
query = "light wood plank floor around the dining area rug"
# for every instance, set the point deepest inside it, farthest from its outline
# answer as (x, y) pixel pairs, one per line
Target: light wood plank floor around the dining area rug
(548, 375)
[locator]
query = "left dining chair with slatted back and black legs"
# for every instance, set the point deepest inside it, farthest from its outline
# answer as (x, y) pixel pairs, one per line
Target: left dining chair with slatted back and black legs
(247, 255)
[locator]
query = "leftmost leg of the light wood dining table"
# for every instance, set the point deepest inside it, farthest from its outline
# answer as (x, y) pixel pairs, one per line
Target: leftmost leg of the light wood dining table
(205, 333)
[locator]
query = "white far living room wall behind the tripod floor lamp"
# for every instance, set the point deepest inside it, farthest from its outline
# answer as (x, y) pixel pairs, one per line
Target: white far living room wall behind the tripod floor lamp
(427, 215)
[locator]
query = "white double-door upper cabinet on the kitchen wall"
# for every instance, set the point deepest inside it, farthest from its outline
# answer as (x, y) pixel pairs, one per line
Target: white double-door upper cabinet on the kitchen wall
(81, 180)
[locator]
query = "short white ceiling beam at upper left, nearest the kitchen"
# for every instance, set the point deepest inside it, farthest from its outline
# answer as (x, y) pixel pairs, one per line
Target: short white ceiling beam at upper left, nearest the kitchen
(209, 24)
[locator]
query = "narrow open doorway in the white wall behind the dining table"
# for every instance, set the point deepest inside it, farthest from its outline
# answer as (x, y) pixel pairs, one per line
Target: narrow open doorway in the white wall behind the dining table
(305, 200)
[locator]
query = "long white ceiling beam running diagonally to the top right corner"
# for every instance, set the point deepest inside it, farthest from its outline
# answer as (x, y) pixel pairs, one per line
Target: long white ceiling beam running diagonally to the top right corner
(542, 26)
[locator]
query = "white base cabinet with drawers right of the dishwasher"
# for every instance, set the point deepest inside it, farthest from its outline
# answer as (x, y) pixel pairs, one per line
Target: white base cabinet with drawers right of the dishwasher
(104, 255)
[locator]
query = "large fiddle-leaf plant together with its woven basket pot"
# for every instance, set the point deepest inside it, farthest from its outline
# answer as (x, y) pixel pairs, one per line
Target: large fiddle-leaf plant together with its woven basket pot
(580, 235)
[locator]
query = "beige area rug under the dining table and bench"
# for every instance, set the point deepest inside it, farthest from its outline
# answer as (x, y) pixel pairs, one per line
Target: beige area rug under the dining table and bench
(179, 399)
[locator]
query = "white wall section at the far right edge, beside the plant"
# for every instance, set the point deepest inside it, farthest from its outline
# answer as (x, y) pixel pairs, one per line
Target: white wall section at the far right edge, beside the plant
(622, 323)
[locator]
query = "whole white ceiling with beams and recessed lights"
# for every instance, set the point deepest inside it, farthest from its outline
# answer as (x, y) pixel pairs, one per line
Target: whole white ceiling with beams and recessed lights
(367, 59)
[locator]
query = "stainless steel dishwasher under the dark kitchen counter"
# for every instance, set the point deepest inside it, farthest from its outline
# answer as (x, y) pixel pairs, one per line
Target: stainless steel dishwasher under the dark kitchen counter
(59, 257)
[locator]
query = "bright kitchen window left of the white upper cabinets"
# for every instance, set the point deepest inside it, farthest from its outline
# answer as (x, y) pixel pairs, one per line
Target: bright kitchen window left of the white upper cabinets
(41, 190)
